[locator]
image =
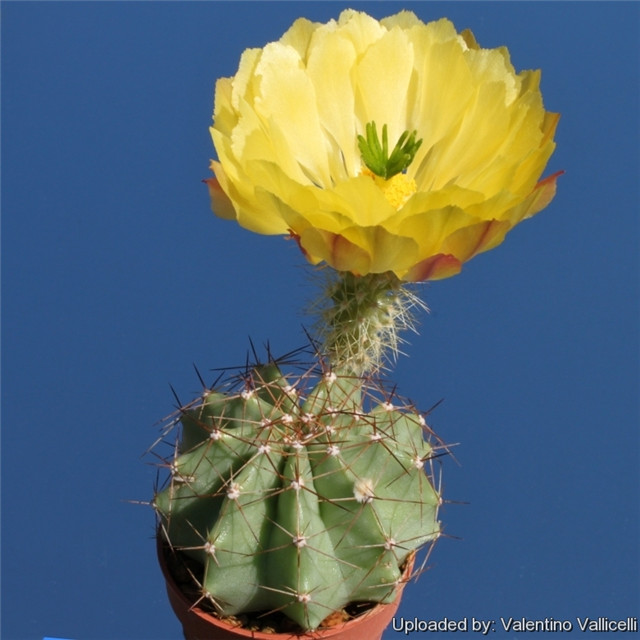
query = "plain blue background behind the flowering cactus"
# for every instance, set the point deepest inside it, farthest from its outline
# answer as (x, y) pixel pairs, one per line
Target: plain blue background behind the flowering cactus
(116, 278)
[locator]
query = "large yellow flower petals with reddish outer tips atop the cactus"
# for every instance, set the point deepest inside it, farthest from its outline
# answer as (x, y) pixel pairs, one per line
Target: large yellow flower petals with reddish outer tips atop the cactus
(286, 130)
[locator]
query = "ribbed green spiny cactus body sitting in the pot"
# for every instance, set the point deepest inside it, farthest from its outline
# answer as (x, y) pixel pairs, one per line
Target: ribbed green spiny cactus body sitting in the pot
(299, 497)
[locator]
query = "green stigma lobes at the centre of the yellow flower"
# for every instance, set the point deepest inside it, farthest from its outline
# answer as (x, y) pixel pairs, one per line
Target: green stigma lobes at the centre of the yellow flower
(376, 156)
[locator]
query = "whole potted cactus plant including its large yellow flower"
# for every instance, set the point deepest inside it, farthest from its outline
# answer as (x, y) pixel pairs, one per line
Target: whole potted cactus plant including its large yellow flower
(303, 493)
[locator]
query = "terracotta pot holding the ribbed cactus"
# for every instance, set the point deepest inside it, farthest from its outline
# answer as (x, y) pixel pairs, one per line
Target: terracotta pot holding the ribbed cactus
(200, 625)
